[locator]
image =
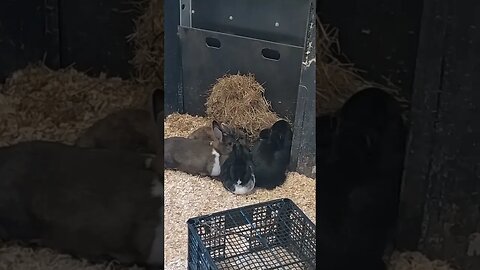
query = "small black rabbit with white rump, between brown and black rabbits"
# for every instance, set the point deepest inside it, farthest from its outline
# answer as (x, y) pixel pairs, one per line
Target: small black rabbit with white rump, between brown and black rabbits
(237, 173)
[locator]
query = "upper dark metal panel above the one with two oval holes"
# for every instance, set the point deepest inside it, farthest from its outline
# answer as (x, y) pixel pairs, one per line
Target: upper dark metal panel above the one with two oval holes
(267, 19)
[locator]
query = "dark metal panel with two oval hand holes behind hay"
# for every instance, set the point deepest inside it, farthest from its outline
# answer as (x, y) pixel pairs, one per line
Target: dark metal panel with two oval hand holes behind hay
(203, 65)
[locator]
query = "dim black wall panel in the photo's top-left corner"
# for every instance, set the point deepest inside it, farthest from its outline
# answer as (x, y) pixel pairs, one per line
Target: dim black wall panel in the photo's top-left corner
(27, 34)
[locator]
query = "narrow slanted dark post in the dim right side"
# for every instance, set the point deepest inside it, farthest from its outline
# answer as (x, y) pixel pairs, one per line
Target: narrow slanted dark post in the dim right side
(423, 115)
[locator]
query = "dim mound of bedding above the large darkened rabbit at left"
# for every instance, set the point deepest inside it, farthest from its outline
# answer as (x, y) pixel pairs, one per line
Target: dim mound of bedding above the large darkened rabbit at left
(39, 103)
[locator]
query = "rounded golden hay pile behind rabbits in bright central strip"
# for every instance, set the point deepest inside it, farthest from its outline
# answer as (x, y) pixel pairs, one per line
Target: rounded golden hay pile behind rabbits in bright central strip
(239, 101)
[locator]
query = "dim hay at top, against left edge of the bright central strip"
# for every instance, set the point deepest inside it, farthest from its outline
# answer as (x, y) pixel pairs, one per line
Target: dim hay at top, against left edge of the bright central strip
(148, 40)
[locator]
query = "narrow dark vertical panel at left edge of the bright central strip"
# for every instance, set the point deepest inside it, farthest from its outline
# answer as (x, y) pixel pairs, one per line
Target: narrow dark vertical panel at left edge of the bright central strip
(172, 59)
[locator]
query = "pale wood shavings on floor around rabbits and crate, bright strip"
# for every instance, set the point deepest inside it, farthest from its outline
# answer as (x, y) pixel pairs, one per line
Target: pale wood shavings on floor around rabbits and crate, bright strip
(188, 196)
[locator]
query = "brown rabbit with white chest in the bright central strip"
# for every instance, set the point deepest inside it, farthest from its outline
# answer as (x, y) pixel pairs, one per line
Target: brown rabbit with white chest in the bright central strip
(199, 157)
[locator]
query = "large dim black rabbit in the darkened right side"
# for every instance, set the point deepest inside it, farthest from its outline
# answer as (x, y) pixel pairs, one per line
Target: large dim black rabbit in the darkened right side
(358, 183)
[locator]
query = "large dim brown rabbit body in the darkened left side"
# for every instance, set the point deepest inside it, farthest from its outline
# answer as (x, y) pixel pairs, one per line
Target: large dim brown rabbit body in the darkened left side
(92, 203)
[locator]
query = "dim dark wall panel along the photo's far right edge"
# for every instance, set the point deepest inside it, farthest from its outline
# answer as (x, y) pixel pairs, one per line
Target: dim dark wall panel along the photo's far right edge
(452, 213)
